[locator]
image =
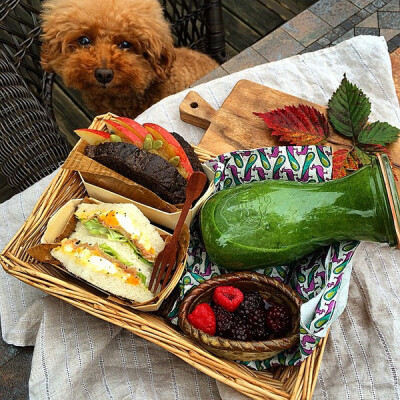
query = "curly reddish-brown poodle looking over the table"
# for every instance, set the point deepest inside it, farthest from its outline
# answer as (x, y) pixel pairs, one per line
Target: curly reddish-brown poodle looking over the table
(118, 53)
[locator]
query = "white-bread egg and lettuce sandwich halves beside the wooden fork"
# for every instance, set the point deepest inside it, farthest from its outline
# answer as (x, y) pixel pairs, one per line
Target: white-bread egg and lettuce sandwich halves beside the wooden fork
(113, 247)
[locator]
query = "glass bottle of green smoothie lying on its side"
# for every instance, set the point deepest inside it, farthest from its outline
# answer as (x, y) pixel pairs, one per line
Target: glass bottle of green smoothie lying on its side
(275, 222)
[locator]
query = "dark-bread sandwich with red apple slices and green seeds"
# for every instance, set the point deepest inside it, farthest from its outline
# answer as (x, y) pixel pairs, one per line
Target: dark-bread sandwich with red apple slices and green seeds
(147, 154)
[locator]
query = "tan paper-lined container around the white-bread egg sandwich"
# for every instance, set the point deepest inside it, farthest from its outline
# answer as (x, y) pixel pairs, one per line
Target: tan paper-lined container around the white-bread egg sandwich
(62, 224)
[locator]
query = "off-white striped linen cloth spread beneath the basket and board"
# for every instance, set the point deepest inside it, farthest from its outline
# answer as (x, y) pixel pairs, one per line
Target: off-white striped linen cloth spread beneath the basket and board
(78, 356)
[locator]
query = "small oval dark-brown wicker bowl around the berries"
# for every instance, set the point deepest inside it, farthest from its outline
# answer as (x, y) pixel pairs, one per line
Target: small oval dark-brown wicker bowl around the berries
(270, 289)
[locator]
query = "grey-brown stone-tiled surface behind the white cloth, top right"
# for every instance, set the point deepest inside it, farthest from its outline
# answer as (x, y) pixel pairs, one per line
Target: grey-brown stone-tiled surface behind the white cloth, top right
(324, 24)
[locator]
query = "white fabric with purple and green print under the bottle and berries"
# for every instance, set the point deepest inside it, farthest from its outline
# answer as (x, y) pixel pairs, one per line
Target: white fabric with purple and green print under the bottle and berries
(321, 279)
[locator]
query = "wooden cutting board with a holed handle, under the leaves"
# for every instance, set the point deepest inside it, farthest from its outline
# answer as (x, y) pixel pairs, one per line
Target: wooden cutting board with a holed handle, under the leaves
(234, 126)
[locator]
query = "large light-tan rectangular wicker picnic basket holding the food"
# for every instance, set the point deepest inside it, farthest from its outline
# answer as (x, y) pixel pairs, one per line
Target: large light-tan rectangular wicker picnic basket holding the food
(294, 382)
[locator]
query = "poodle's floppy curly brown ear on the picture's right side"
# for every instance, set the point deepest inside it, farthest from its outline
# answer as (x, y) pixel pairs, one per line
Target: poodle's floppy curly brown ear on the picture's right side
(161, 56)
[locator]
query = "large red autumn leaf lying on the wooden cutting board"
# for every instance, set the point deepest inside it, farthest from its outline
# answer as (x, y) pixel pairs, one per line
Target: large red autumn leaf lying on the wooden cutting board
(298, 125)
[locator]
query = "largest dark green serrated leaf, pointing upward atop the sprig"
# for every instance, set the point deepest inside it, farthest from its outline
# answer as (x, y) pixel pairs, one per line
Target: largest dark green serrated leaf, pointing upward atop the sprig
(348, 109)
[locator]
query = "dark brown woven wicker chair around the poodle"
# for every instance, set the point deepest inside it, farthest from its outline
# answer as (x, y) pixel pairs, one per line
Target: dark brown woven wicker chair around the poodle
(31, 144)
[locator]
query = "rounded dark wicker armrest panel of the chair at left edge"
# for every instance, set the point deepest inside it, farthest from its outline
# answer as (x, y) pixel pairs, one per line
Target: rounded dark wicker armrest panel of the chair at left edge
(31, 145)
